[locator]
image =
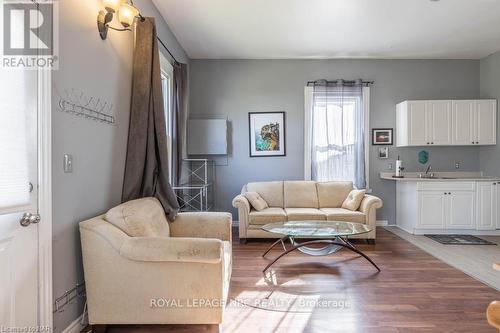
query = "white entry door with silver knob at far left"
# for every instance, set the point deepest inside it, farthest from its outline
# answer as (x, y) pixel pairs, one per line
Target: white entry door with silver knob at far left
(18, 168)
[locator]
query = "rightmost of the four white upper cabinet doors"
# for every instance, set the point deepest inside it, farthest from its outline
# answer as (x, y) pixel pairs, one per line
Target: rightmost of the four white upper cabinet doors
(486, 122)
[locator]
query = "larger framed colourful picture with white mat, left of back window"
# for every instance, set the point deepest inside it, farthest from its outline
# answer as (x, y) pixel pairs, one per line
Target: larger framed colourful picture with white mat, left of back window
(267, 134)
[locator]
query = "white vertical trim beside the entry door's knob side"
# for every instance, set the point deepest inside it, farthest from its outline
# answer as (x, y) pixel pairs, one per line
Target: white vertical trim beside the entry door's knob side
(45, 297)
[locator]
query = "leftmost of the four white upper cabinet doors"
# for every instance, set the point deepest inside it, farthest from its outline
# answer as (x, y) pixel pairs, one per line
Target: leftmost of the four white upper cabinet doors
(418, 123)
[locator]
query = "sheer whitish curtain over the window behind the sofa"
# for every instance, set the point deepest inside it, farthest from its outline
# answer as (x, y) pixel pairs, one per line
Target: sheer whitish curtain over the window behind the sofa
(337, 132)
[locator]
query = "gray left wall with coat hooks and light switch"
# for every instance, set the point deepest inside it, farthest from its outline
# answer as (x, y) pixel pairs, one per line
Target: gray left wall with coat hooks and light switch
(103, 69)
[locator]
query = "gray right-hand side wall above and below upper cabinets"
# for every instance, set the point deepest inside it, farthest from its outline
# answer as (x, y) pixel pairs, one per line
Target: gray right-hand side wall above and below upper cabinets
(489, 156)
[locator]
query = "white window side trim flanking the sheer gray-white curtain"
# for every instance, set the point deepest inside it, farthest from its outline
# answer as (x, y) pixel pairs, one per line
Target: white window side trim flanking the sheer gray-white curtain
(308, 109)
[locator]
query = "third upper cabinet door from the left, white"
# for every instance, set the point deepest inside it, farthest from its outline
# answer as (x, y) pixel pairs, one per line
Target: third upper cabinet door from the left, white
(463, 122)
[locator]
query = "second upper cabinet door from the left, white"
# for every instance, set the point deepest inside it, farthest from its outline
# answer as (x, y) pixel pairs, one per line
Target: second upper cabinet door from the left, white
(439, 126)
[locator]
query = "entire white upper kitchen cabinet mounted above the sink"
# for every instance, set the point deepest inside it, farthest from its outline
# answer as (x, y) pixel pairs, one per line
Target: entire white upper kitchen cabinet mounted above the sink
(446, 123)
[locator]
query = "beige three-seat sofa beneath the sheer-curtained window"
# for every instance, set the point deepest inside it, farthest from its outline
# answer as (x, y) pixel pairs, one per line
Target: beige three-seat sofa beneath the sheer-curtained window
(302, 200)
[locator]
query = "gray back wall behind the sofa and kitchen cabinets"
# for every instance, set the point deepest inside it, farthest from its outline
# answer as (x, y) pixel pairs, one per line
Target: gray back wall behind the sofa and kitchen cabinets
(235, 87)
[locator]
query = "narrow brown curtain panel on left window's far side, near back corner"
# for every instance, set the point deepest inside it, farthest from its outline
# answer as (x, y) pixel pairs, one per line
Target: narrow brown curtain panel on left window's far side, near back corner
(180, 116)
